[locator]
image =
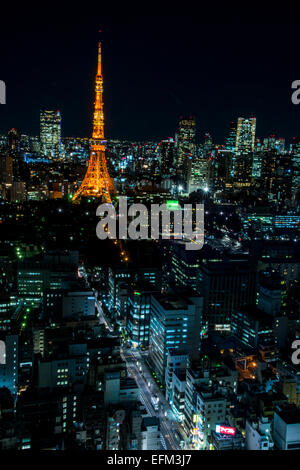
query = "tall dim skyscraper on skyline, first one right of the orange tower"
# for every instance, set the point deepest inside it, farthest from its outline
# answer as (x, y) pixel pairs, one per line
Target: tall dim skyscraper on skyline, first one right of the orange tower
(185, 143)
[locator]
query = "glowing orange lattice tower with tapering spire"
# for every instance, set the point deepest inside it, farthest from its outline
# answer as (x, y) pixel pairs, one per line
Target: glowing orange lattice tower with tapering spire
(97, 182)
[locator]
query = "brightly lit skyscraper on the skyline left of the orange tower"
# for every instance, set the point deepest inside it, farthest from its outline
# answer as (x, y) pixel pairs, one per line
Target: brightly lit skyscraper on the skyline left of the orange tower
(50, 133)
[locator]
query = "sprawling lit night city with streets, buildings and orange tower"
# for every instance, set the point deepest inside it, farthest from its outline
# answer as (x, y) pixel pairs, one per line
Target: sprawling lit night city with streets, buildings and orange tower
(121, 344)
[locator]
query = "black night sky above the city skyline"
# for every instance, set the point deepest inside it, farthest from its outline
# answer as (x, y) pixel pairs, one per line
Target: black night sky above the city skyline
(155, 69)
